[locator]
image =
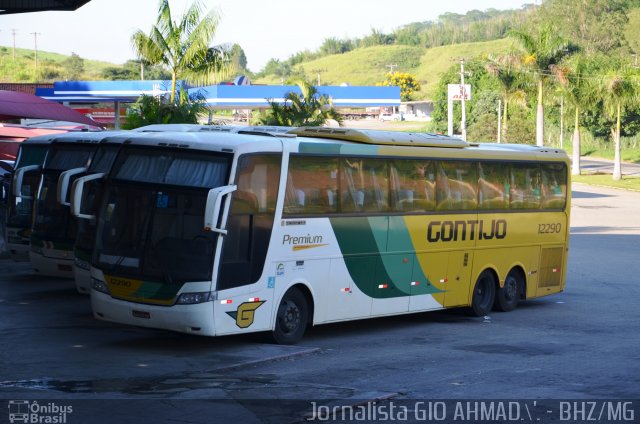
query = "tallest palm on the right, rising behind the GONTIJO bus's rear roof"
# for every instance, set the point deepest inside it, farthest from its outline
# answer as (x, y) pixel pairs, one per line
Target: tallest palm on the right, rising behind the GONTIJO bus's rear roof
(542, 52)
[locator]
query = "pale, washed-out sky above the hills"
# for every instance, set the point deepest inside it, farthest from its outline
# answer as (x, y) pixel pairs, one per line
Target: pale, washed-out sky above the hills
(101, 29)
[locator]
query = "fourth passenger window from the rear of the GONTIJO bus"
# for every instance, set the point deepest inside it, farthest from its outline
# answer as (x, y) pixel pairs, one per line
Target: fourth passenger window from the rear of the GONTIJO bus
(457, 185)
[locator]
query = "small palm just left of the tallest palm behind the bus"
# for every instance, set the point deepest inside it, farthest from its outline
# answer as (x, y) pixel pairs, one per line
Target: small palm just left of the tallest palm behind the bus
(504, 69)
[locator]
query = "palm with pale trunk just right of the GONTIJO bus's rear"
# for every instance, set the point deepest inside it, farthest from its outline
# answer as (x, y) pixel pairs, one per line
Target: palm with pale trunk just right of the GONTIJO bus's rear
(580, 90)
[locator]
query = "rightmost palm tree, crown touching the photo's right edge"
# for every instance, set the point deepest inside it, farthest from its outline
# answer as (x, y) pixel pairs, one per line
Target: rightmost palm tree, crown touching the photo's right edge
(620, 88)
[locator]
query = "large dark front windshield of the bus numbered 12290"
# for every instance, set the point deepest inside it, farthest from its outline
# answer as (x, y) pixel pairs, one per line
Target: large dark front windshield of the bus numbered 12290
(152, 216)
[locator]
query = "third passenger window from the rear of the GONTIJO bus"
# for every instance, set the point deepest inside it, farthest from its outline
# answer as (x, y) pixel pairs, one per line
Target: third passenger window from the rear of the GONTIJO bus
(493, 186)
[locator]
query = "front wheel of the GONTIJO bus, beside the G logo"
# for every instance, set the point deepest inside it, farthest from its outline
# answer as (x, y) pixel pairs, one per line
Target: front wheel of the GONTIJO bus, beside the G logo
(292, 318)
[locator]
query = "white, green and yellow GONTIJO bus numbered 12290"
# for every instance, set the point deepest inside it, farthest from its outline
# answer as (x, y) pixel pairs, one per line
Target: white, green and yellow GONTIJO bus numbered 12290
(226, 233)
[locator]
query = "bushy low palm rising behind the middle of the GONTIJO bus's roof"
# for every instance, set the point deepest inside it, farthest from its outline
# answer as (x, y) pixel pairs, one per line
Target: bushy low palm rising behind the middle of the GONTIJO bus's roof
(305, 109)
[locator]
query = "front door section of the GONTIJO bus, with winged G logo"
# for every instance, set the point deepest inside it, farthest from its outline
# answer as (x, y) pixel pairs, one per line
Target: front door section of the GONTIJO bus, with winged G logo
(245, 246)
